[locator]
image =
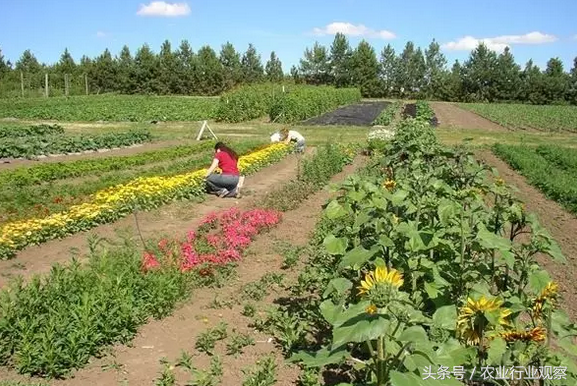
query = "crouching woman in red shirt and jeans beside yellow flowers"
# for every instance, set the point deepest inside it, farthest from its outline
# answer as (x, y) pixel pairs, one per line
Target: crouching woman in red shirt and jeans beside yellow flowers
(225, 184)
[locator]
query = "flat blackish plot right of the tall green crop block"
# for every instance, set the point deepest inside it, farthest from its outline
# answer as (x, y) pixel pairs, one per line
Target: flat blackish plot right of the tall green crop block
(360, 114)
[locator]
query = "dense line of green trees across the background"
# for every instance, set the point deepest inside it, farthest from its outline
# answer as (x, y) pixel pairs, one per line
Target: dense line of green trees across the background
(413, 73)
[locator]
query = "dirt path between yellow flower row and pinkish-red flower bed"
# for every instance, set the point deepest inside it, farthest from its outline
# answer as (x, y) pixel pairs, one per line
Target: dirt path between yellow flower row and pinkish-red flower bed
(170, 219)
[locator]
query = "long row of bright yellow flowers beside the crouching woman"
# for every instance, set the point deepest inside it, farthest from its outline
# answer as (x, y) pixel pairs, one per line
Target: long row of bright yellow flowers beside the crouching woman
(115, 202)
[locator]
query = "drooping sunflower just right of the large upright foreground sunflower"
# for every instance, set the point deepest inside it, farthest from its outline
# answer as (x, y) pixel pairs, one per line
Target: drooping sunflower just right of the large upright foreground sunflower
(471, 322)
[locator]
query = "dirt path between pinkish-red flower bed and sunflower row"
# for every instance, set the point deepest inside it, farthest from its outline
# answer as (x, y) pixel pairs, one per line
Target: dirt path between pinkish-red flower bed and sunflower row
(139, 364)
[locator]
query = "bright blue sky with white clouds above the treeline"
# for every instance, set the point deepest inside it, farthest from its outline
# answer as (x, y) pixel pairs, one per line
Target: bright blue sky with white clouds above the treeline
(535, 29)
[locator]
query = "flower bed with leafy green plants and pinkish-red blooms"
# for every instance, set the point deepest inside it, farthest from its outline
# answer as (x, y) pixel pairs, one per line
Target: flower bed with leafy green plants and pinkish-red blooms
(58, 322)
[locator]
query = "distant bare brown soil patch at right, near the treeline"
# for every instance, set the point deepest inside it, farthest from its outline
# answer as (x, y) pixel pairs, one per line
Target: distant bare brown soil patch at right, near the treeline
(453, 117)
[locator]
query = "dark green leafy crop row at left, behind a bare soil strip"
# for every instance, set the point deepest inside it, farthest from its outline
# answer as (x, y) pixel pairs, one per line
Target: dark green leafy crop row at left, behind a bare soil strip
(60, 144)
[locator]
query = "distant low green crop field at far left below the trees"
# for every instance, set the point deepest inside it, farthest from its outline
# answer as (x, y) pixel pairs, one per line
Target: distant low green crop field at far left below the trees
(134, 108)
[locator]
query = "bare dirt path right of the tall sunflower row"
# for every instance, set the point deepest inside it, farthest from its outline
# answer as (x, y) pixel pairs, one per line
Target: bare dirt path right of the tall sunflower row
(560, 224)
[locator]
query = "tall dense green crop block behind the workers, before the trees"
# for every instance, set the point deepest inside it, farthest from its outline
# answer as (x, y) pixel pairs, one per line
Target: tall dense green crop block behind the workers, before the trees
(295, 103)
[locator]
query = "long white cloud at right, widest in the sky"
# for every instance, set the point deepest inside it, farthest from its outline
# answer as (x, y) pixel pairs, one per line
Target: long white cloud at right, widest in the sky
(499, 43)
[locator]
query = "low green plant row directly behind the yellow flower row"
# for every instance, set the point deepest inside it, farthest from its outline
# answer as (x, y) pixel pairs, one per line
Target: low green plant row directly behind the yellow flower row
(17, 203)
